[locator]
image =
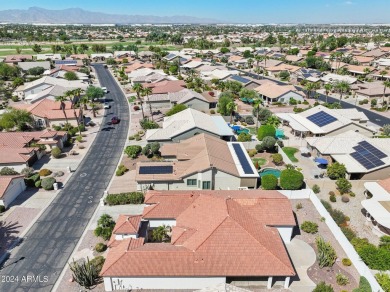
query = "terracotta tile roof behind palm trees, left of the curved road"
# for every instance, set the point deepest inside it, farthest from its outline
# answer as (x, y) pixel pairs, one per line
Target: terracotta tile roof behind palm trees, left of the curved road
(50, 109)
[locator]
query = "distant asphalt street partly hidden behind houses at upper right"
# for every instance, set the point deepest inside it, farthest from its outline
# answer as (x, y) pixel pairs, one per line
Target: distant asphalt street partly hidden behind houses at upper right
(372, 116)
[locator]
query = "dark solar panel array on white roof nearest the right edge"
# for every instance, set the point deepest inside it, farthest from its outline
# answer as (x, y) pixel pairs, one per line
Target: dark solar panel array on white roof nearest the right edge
(367, 155)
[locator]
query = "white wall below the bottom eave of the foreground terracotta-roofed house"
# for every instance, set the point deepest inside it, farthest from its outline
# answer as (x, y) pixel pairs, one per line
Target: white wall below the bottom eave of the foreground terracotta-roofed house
(114, 283)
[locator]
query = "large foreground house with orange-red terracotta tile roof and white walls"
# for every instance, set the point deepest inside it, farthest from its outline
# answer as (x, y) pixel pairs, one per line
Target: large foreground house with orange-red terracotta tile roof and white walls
(242, 233)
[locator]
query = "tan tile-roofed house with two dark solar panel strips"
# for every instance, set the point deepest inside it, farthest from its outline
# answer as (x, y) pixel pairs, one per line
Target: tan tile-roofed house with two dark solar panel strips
(200, 162)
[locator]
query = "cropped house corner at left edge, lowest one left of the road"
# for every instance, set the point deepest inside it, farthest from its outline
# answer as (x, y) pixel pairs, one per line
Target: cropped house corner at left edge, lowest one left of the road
(10, 188)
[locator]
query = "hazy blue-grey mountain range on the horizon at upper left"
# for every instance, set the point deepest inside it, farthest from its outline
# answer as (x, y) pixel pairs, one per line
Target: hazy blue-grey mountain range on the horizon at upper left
(80, 16)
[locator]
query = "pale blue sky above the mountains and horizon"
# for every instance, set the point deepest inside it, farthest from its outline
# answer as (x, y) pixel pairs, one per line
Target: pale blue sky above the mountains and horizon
(242, 11)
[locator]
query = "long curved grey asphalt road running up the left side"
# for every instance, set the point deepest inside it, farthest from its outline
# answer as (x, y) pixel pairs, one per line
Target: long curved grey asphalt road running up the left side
(50, 242)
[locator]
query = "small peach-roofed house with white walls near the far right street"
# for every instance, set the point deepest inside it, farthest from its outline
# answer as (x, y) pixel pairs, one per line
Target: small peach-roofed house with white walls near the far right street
(273, 92)
